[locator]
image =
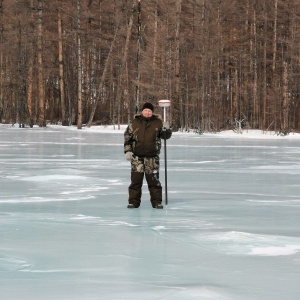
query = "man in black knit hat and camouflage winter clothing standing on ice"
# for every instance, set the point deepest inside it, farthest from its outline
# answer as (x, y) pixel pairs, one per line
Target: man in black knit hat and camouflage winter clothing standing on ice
(142, 144)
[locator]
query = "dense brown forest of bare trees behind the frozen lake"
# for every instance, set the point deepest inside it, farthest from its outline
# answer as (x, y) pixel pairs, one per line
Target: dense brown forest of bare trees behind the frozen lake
(222, 63)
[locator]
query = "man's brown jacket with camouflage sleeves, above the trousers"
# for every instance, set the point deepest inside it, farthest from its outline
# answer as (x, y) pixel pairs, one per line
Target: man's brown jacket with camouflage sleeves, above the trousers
(143, 136)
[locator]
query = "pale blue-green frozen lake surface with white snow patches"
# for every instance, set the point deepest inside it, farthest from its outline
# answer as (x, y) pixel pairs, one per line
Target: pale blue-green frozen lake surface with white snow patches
(231, 229)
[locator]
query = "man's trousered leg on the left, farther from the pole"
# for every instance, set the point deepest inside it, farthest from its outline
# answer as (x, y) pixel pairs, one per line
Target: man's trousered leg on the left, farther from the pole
(135, 188)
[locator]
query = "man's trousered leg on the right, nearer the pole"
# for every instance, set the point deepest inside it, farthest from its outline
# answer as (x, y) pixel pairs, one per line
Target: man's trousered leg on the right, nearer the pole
(152, 177)
